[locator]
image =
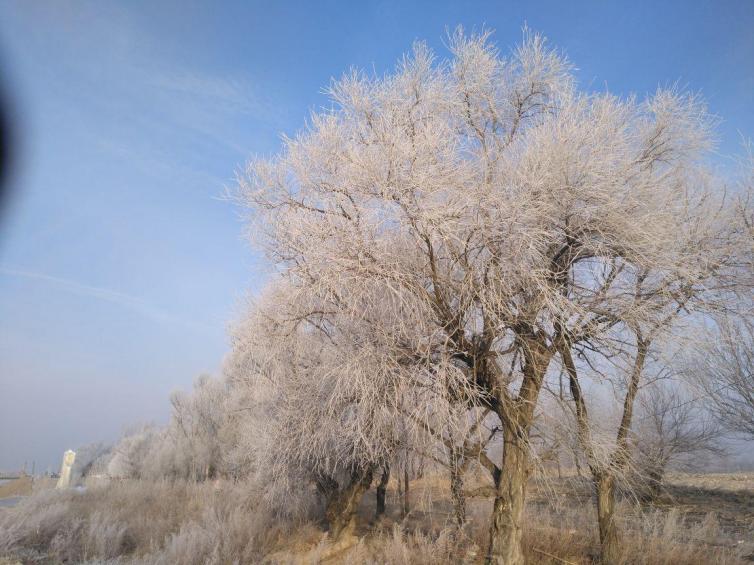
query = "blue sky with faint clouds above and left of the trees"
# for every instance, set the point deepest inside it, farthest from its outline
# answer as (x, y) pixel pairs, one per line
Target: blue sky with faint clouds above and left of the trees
(120, 265)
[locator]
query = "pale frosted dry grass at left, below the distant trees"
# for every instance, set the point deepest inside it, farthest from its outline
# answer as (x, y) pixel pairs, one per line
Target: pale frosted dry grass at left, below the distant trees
(140, 522)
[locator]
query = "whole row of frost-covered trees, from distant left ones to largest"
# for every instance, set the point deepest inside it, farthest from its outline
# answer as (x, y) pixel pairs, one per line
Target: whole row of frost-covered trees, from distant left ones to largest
(459, 244)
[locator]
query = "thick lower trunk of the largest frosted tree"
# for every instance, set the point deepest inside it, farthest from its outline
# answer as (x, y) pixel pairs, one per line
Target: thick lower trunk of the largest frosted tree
(506, 533)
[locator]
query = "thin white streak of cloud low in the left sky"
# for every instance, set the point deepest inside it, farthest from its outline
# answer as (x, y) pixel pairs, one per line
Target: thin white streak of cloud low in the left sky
(127, 301)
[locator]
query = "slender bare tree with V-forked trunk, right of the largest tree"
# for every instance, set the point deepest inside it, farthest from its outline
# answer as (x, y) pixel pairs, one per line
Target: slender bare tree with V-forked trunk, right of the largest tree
(623, 365)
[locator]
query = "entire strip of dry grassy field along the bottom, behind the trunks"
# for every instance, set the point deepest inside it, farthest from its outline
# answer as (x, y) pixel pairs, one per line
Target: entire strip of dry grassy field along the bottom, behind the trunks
(700, 519)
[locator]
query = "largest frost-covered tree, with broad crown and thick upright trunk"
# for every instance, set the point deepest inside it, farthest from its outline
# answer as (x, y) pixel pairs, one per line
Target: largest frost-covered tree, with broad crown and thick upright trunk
(477, 218)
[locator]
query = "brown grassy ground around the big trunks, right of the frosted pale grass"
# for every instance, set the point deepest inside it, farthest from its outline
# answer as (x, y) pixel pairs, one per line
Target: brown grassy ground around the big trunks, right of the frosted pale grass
(700, 519)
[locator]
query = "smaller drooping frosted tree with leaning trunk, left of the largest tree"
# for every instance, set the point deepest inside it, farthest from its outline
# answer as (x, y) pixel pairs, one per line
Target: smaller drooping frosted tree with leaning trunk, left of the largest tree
(321, 402)
